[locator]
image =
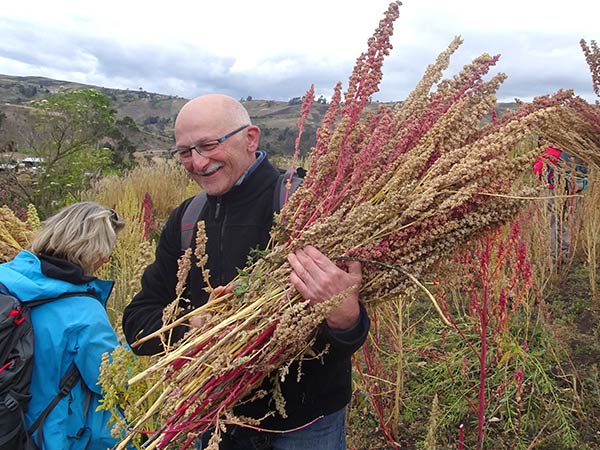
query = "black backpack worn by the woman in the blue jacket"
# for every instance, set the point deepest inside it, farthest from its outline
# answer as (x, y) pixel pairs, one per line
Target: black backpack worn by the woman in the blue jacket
(16, 366)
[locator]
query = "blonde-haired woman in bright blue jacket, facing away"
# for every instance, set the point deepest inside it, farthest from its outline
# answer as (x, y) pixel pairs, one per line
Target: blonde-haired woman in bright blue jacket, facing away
(72, 332)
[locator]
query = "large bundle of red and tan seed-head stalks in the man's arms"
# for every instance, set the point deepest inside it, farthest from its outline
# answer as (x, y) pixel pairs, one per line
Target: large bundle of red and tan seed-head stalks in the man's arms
(397, 189)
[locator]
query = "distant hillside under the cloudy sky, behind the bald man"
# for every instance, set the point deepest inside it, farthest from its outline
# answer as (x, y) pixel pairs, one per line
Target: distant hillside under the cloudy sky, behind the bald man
(154, 114)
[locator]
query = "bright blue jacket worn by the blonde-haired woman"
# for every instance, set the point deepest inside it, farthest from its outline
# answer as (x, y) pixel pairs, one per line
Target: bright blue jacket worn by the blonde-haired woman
(68, 330)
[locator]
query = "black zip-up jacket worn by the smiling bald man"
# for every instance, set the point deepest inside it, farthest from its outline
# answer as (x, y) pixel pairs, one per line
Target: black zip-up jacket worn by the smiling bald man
(237, 222)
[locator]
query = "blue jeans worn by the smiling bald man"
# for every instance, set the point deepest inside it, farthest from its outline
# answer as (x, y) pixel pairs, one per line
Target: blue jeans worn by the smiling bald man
(327, 433)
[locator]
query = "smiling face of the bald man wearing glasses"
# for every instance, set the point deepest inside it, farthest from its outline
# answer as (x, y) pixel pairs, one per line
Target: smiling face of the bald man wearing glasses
(221, 164)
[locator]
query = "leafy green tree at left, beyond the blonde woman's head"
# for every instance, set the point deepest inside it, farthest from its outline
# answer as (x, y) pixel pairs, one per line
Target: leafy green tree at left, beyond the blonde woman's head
(66, 139)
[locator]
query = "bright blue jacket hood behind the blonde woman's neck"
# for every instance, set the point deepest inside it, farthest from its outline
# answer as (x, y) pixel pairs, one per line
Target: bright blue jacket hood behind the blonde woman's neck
(23, 277)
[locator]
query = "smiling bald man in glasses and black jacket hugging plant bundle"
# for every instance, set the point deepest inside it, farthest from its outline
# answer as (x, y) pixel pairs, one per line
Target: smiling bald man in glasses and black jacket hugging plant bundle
(218, 146)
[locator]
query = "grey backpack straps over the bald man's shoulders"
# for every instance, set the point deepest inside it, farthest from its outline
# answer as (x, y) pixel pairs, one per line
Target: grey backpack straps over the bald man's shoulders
(194, 208)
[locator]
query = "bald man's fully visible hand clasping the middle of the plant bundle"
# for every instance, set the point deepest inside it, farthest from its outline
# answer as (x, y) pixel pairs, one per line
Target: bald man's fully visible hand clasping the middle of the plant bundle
(318, 279)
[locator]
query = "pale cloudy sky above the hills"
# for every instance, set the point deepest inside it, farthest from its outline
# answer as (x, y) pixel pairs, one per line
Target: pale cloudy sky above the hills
(274, 49)
